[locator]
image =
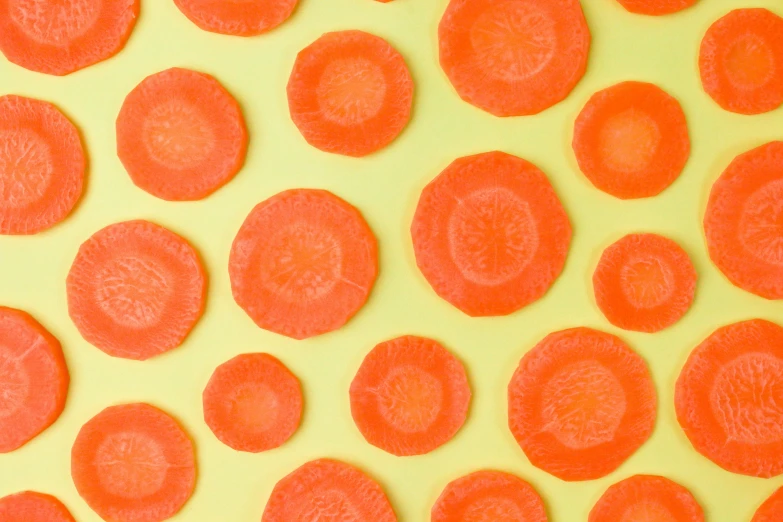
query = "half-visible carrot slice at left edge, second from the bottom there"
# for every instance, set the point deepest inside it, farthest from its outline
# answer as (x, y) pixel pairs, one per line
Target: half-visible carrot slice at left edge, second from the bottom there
(33, 379)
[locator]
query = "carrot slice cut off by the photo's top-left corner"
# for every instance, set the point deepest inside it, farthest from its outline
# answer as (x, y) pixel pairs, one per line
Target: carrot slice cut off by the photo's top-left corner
(62, 37)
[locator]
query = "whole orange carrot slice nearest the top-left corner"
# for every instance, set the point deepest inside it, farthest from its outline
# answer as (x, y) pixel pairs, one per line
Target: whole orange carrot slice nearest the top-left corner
(181, 135)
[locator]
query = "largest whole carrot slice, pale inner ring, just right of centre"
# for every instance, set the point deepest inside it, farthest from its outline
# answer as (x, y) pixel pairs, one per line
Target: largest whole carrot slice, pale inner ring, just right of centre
(490, 234)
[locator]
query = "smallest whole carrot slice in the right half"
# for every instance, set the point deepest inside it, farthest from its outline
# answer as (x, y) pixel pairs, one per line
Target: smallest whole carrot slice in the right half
(644, 282)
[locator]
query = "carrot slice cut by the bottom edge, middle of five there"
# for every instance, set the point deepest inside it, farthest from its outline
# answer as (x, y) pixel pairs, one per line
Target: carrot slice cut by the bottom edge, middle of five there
(490, 496)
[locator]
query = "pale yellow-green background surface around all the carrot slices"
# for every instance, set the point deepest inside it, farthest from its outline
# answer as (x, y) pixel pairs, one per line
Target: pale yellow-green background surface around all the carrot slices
(234, 487)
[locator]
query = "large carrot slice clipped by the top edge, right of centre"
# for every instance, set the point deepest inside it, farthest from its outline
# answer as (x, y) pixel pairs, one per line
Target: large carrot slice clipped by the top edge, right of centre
(514, 58)
